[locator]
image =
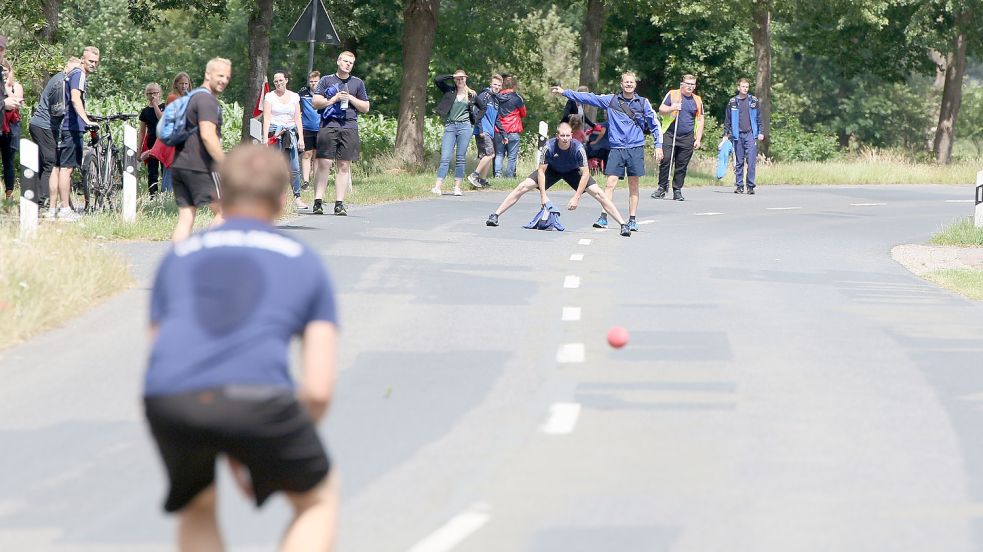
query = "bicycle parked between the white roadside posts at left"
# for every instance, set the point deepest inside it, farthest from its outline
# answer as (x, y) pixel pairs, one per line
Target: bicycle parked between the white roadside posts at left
(101, 174)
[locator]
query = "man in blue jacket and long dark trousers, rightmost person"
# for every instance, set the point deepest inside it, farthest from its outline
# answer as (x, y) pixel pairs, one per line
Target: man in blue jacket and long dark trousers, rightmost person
(742, 125)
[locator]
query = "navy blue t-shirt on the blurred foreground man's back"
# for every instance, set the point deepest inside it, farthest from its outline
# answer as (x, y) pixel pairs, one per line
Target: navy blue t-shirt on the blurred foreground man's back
(227, 302)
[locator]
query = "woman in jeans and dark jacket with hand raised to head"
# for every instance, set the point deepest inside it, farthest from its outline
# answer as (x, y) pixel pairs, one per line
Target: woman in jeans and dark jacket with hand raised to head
(456, 109)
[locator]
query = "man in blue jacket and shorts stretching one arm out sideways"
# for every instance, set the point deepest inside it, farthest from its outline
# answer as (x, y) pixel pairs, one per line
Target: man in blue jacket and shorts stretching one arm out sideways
(630, 118)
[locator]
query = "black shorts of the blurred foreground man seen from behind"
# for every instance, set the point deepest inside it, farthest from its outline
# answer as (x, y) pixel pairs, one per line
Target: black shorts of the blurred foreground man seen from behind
(266, 430)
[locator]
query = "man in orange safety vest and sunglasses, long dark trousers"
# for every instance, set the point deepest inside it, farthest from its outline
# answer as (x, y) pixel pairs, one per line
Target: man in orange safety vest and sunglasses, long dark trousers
(682, 135)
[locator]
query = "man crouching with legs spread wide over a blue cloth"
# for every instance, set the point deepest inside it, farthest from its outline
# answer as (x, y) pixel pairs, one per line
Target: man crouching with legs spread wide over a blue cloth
(563, 159)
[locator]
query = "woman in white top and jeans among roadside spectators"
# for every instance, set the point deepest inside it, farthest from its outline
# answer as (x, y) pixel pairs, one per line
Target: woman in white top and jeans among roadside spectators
(281, 124)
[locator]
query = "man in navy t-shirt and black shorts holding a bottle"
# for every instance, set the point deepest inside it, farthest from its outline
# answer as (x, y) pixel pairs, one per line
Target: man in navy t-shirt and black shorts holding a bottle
(338, 138)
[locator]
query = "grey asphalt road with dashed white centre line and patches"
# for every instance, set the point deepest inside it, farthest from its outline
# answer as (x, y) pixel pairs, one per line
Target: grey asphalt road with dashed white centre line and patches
(787, 386)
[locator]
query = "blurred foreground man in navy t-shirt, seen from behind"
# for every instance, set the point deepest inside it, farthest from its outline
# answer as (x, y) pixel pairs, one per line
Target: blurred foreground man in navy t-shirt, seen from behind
(218, 379)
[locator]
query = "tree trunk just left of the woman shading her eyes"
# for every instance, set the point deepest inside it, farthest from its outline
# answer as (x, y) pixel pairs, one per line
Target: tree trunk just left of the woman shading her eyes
(419, 29)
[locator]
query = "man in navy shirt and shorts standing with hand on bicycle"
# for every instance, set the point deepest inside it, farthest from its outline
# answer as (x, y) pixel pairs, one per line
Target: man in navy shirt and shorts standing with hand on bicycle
(72, 127)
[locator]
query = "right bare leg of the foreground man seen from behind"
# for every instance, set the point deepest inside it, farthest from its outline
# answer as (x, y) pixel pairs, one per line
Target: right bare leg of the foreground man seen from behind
(315, 518)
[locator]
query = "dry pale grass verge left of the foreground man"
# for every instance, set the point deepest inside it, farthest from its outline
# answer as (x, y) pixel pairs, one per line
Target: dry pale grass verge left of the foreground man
(51, 278)
